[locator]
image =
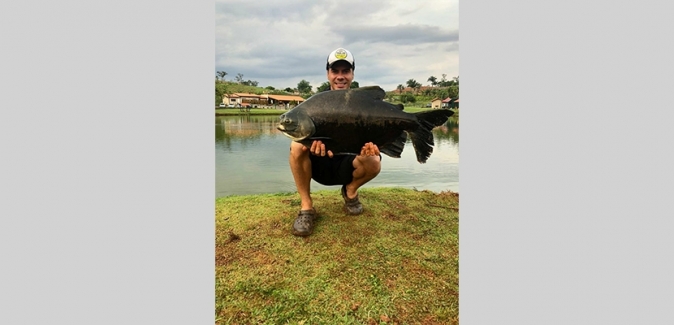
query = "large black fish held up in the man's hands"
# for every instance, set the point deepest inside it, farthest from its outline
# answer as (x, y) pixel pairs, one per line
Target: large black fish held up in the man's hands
(344, 120)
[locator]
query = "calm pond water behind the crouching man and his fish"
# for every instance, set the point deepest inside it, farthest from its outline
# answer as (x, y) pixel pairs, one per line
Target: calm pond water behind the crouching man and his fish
(251, 157)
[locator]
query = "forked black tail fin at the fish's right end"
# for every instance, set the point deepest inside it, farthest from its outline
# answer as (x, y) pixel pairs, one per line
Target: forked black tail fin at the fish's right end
(422, 137)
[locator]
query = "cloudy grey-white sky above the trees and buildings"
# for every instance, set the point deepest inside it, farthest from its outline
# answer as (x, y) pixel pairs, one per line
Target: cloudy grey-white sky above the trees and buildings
(280, 43)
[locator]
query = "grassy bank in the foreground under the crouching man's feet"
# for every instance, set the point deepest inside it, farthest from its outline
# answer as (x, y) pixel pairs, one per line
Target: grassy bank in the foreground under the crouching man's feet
(395, 263)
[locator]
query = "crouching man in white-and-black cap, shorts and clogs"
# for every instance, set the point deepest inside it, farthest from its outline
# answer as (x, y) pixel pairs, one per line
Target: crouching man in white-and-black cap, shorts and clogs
(349, 171)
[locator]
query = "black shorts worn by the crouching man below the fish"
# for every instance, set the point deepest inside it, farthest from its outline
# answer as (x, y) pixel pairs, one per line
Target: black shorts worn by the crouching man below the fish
(332, 171)
